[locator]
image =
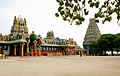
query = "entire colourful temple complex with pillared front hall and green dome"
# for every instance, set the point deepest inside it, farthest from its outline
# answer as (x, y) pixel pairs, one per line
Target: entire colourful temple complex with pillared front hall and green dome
(20, 43)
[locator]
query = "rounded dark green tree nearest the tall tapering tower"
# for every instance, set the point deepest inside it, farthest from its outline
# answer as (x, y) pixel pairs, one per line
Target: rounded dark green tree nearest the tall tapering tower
(107, 42)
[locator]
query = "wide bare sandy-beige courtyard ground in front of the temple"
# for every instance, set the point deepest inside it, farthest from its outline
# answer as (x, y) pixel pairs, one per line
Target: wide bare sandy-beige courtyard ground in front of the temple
(61, 66)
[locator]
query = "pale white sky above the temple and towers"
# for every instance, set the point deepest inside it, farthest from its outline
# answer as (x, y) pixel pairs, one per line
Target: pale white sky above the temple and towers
(41, 19)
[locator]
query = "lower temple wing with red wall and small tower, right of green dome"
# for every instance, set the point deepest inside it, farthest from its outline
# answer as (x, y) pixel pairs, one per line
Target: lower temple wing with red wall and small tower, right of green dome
(53, 46)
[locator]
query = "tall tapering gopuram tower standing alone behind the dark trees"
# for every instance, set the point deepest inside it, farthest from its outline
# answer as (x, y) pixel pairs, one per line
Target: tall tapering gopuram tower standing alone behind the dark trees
(92, 35)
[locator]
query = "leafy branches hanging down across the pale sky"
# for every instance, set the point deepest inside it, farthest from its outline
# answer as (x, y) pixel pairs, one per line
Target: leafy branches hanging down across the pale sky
(75, 10)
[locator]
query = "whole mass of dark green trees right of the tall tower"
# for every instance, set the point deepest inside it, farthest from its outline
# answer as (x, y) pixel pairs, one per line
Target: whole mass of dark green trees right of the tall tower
(107, 42)
